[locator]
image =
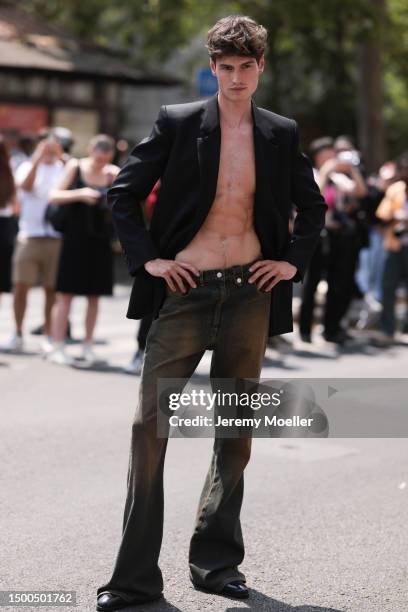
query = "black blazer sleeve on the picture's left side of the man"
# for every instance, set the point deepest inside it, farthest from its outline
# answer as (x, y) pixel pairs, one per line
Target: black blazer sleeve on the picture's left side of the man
(133, 184)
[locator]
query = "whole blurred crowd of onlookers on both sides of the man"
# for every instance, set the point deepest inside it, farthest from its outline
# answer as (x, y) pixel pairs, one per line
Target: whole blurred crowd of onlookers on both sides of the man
(56, 231)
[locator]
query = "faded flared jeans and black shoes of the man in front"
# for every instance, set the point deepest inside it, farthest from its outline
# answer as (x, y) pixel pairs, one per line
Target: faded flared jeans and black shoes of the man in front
(227, 314)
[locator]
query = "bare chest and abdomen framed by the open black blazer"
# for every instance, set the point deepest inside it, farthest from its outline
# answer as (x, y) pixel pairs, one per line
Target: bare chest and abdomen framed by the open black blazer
(227, 236)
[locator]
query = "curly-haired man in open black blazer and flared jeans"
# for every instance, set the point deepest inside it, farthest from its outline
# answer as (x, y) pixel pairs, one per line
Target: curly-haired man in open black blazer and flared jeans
(216, 269)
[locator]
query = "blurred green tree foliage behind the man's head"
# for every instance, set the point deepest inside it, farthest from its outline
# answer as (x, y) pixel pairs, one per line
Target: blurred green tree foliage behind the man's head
(312, 59)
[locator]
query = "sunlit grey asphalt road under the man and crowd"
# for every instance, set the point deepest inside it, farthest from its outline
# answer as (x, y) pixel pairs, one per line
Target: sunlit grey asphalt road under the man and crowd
(324, 520)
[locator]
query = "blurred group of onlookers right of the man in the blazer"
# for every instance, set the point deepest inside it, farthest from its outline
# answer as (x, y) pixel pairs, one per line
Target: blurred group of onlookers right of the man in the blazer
(362, 255)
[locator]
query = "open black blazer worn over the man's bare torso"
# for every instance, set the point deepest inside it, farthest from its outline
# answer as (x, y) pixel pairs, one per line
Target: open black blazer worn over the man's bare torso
(183, 150)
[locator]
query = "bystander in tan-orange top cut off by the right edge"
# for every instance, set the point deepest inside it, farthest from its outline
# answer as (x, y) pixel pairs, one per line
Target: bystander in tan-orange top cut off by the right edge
(393, 212)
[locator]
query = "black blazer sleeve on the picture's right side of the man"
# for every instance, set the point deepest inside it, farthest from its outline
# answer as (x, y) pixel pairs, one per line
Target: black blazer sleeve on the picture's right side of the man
(311, 209)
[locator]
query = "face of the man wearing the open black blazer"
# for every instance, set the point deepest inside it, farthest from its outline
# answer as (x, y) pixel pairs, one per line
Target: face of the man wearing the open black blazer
(237, 76)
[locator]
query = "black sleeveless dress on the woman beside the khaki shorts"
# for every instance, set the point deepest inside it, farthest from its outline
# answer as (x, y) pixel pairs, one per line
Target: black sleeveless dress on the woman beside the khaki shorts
(86, 261)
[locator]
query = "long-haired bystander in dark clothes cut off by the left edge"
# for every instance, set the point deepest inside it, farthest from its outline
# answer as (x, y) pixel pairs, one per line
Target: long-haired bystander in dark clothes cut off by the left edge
(8, 210)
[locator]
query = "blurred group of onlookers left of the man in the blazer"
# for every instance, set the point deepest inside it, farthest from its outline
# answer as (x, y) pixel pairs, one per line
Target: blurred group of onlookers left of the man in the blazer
(56, 231)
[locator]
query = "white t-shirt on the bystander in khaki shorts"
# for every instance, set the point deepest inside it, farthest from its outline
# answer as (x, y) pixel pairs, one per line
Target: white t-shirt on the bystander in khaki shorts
(34, 202)
